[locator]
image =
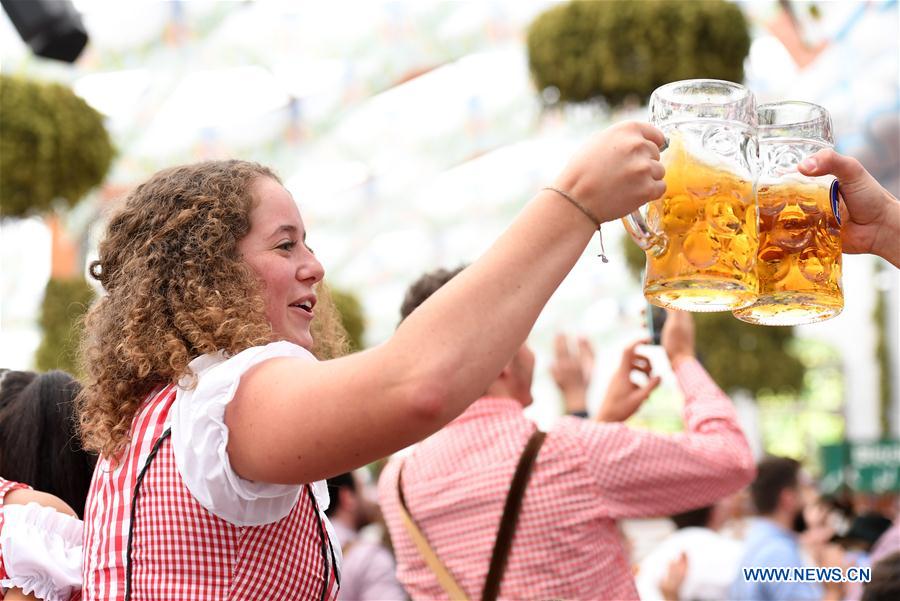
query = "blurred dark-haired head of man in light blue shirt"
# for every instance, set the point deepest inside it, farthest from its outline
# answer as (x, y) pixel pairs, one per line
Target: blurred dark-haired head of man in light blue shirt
(778, 490)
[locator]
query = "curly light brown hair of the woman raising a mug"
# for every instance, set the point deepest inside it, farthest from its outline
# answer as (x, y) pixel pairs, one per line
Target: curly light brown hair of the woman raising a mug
(176, 288)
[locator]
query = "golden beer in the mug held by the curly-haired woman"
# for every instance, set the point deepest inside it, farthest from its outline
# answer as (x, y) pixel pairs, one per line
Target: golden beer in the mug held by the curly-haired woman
(707, 257)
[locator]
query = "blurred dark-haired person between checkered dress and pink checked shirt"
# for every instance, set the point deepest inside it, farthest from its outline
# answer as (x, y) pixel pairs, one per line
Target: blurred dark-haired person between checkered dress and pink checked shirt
(368, 567)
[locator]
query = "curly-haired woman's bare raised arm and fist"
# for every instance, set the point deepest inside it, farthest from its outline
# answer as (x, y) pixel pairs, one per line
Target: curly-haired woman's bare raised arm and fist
(295, 421)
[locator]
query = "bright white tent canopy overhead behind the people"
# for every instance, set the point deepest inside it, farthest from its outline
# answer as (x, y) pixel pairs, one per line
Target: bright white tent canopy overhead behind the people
(409, 132)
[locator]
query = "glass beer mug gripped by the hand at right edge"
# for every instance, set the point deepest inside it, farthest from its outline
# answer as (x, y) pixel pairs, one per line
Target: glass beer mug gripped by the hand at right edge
(799, 260)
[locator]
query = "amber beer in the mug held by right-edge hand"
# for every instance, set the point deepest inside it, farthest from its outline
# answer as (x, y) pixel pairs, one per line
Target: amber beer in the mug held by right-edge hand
(799, 259)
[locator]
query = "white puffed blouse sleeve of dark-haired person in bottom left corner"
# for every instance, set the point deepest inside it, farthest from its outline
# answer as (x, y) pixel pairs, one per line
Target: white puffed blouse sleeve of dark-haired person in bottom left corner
(41, 550)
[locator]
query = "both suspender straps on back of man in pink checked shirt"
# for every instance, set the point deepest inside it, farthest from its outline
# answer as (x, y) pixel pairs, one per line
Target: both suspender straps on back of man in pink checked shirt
(505, 532)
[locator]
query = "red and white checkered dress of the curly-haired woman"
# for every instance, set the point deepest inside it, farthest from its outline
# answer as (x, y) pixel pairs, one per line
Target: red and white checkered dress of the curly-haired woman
(146, 537)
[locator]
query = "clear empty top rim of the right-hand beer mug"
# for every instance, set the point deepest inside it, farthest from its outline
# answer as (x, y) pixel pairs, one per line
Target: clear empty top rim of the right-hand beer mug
(795, 118)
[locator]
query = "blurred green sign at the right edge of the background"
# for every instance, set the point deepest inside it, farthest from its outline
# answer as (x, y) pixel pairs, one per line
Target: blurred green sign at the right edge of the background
(872, 467)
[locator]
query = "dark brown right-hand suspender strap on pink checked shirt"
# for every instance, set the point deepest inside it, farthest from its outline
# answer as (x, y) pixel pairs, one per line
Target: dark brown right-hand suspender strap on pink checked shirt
(511, 517)
